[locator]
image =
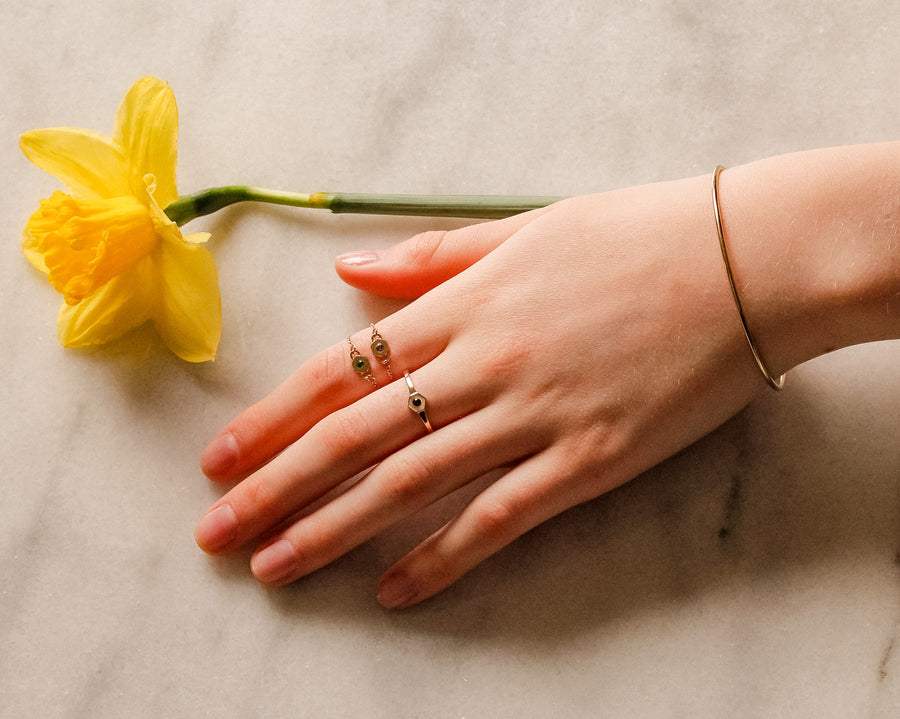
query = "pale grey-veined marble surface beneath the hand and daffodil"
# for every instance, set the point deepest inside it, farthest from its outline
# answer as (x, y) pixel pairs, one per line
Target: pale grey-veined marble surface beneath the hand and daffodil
(756, 574)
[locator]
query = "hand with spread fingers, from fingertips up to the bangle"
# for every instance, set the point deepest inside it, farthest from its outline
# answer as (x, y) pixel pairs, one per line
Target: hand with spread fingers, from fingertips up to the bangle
(579, 344)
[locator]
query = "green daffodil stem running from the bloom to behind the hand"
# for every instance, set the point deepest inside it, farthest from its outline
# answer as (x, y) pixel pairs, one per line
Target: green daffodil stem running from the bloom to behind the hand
(188, 207)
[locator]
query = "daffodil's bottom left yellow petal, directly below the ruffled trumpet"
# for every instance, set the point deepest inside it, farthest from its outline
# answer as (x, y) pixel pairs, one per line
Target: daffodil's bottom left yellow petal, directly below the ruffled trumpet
(122, 304)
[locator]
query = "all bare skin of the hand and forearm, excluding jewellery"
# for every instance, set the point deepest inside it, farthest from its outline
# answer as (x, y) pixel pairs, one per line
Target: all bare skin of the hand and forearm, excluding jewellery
(579, 344)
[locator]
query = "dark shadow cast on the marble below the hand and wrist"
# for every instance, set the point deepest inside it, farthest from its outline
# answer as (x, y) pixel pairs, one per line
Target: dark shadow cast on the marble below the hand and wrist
(776, 491)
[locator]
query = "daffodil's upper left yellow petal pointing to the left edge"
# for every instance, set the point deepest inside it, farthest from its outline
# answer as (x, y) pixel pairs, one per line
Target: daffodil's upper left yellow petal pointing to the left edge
(87, 162)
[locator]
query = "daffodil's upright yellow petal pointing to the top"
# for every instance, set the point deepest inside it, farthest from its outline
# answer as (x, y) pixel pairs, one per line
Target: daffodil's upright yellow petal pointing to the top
(147, 129)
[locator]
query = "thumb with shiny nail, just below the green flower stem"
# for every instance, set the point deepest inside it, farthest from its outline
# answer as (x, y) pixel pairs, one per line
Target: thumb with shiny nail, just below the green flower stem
(411, 268)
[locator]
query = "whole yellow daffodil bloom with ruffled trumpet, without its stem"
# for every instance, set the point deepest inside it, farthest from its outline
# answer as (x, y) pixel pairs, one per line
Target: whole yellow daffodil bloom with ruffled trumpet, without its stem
(107, 246)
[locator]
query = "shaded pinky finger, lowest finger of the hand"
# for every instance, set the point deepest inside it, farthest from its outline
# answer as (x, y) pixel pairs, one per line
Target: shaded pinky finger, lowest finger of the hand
(519, 501)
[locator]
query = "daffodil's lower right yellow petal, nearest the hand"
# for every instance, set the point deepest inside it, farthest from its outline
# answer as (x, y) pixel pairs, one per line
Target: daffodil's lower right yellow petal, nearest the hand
(189, 316)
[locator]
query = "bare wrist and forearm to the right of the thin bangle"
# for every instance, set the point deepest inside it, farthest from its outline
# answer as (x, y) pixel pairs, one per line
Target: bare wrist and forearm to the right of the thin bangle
(813, 243)
